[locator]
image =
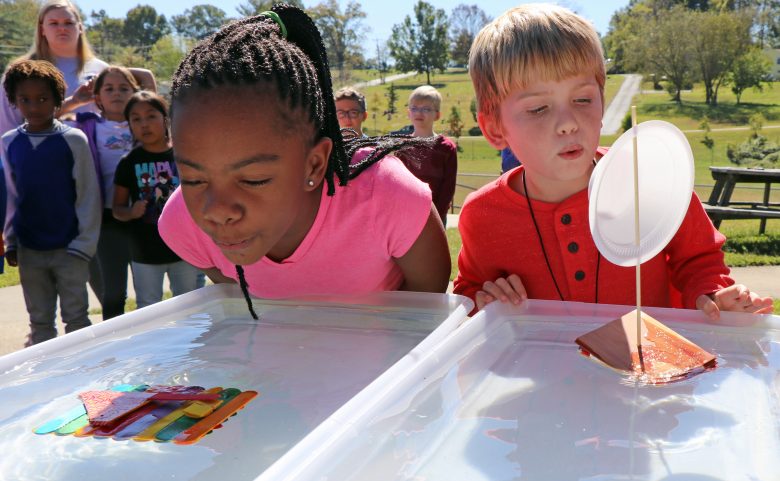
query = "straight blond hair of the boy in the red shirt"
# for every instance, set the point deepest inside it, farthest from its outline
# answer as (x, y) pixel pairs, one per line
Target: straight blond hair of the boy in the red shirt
(530, 43)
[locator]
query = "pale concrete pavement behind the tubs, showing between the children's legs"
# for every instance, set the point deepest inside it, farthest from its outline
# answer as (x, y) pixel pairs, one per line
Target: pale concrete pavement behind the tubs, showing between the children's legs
(14, 321)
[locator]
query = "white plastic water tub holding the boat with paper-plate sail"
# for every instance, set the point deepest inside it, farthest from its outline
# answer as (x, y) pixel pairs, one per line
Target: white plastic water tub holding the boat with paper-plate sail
(507, 396)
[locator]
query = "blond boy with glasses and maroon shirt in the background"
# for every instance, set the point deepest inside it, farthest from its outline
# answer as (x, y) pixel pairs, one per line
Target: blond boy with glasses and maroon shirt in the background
(436, 167)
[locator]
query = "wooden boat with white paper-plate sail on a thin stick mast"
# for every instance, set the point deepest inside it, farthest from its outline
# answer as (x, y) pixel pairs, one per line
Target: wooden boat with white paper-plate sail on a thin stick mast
(636, 342)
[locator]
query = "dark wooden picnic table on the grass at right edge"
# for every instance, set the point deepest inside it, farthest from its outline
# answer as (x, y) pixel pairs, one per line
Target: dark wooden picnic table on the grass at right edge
(720, 206)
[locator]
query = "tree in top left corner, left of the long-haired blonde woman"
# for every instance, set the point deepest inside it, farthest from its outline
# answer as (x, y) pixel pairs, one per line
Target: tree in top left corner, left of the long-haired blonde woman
(17, 18)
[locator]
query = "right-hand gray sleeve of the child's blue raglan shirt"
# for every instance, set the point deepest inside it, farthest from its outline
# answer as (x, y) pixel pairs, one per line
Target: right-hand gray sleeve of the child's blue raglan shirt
(88, 204)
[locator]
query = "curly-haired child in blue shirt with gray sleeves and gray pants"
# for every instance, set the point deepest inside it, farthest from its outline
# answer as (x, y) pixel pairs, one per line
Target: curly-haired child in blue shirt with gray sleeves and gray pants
(53, 221)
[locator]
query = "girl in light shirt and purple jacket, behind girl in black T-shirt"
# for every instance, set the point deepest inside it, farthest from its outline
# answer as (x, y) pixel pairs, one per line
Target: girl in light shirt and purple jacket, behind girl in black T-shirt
(109, 140)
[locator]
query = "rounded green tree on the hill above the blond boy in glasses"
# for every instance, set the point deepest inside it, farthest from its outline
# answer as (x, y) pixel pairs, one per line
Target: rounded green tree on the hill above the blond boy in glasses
(421, 44)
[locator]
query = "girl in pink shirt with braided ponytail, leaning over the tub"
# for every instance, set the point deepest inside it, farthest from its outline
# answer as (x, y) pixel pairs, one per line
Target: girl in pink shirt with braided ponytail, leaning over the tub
(275, 196)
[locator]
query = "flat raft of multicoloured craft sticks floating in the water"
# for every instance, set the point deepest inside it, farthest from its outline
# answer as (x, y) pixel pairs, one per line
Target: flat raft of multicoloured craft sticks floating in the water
(181, 414)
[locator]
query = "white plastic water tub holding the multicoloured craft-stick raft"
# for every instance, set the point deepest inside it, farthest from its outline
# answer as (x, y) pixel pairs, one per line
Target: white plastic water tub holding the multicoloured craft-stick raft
(305, 358)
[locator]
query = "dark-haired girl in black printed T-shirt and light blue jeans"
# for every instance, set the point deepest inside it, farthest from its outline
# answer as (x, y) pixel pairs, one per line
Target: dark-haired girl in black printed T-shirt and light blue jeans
(142, 184)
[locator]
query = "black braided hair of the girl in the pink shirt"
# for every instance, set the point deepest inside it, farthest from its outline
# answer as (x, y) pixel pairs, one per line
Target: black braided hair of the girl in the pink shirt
(282, 48)
